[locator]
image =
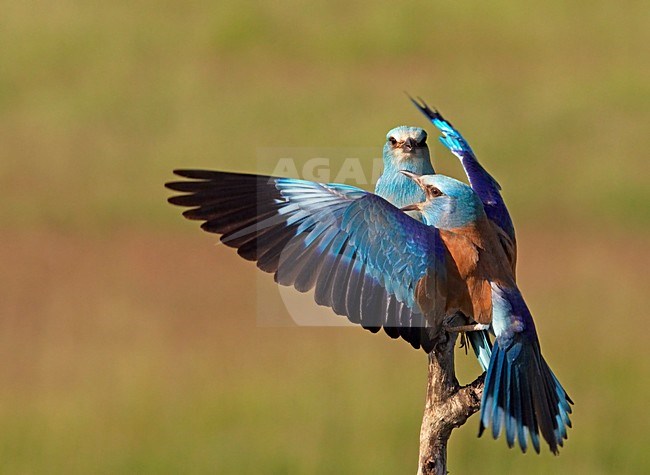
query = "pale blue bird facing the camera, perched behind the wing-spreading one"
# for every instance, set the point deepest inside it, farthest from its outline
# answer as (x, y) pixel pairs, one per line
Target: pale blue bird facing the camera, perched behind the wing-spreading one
(406, 149)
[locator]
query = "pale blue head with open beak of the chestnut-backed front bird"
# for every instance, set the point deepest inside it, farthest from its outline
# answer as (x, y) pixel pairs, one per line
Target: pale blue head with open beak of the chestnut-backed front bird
(448, 203)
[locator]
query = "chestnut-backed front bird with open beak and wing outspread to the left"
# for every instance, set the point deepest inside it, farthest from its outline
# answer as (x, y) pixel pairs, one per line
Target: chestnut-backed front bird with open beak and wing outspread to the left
(371, 262)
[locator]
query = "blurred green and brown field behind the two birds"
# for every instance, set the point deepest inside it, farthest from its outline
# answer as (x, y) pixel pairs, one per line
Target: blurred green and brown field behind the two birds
(130, 344)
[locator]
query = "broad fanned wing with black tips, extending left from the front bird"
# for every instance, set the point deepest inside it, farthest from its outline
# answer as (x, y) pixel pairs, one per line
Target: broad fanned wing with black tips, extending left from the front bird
(364, 258)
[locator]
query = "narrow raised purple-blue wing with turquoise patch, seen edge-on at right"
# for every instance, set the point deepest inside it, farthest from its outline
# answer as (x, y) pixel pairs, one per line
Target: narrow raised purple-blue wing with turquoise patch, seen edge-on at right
(485, 186)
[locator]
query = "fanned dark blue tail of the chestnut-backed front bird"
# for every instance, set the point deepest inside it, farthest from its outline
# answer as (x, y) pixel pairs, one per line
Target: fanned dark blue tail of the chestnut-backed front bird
(523, 396)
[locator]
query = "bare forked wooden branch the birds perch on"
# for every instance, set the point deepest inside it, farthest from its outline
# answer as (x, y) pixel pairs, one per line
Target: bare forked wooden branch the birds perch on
(448, 405)
